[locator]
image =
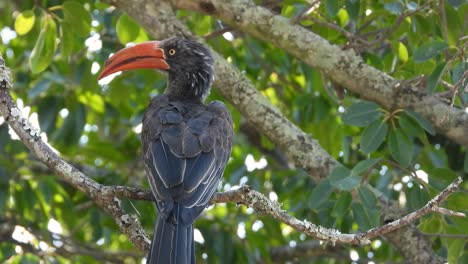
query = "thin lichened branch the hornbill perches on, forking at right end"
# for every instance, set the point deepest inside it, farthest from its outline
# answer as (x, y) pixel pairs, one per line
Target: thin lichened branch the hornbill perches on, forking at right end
(261, 204)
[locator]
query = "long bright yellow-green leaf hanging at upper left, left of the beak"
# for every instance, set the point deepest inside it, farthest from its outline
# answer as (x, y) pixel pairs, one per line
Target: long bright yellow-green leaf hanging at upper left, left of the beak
(44, 49)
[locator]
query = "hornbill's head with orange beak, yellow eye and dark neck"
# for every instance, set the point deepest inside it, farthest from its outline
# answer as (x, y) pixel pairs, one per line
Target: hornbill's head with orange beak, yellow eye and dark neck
(189, 64)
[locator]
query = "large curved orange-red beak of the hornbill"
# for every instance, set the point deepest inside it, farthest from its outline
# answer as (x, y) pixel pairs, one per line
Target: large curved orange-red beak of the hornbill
(146, 55)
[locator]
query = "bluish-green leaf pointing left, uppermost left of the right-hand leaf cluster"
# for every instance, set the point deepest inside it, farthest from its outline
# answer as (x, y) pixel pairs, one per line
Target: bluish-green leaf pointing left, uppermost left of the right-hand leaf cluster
(361, 114)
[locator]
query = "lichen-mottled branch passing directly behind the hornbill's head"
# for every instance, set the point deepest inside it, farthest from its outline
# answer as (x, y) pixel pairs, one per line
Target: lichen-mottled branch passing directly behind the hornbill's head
(159, 20)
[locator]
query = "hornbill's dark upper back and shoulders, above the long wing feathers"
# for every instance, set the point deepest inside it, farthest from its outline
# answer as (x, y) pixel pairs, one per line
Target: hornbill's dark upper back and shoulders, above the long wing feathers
(188, 128)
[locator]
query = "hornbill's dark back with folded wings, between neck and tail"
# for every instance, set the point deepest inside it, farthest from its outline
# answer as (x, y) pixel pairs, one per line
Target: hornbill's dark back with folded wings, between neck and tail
(186, 145)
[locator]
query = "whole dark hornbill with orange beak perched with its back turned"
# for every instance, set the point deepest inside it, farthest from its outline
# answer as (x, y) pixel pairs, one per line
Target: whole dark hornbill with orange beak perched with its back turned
(186, 144)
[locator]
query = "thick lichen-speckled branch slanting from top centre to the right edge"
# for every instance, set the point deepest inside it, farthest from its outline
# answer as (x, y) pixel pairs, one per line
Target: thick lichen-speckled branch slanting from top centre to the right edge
(342, 66)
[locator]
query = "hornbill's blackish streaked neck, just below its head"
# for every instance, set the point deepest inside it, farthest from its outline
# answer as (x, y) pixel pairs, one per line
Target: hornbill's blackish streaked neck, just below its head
(188, 87)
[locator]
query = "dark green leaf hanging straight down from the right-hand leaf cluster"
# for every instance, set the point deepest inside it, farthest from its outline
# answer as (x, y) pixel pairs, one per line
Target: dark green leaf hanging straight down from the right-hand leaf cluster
(401, 147)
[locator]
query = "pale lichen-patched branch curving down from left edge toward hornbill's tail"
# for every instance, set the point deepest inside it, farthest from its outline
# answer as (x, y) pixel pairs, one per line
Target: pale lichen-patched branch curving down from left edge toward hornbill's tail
(29, 135)
